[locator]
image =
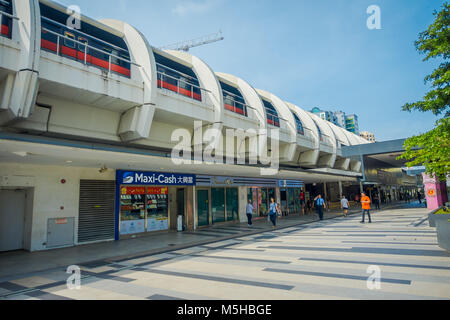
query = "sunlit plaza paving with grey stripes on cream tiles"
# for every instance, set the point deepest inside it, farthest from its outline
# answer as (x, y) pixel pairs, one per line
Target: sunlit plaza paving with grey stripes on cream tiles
(320, 260)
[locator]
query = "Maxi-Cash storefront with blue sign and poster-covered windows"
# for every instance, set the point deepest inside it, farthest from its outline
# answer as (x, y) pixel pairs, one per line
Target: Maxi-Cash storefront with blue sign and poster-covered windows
(143, 201)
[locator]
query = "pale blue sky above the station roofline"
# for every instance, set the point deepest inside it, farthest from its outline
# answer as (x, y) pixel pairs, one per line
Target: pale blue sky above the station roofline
(311, 53)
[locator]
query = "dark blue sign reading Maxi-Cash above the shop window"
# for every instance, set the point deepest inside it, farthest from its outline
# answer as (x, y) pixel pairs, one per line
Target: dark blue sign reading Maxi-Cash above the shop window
(154, 178)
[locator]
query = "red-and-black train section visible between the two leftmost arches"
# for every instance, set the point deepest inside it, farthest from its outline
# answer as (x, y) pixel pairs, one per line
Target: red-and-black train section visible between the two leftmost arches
(104, 49)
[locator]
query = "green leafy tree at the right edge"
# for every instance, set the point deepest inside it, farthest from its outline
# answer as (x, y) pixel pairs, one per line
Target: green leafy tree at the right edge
(432, 149)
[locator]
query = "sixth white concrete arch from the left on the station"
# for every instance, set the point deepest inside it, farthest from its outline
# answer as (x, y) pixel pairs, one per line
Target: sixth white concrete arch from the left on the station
(307, 158)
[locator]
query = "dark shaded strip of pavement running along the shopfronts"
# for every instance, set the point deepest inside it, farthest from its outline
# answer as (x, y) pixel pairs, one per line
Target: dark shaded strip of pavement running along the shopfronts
(14, 264)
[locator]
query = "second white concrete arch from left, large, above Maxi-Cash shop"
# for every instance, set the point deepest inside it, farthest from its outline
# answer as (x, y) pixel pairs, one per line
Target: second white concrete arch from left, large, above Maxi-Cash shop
(136, 123)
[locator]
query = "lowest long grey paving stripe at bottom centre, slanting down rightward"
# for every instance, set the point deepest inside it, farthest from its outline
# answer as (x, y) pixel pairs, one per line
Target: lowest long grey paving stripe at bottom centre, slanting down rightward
(218, 279)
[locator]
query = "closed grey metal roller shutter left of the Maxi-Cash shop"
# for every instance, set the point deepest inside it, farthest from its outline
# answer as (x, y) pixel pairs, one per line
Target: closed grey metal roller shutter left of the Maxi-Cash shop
(96, 218)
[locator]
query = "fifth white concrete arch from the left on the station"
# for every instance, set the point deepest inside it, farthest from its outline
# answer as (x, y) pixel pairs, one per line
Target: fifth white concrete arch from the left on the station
(288, 128)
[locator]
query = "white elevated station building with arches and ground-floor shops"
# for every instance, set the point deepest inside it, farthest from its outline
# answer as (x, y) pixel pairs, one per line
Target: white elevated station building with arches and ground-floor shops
(87, 123)
